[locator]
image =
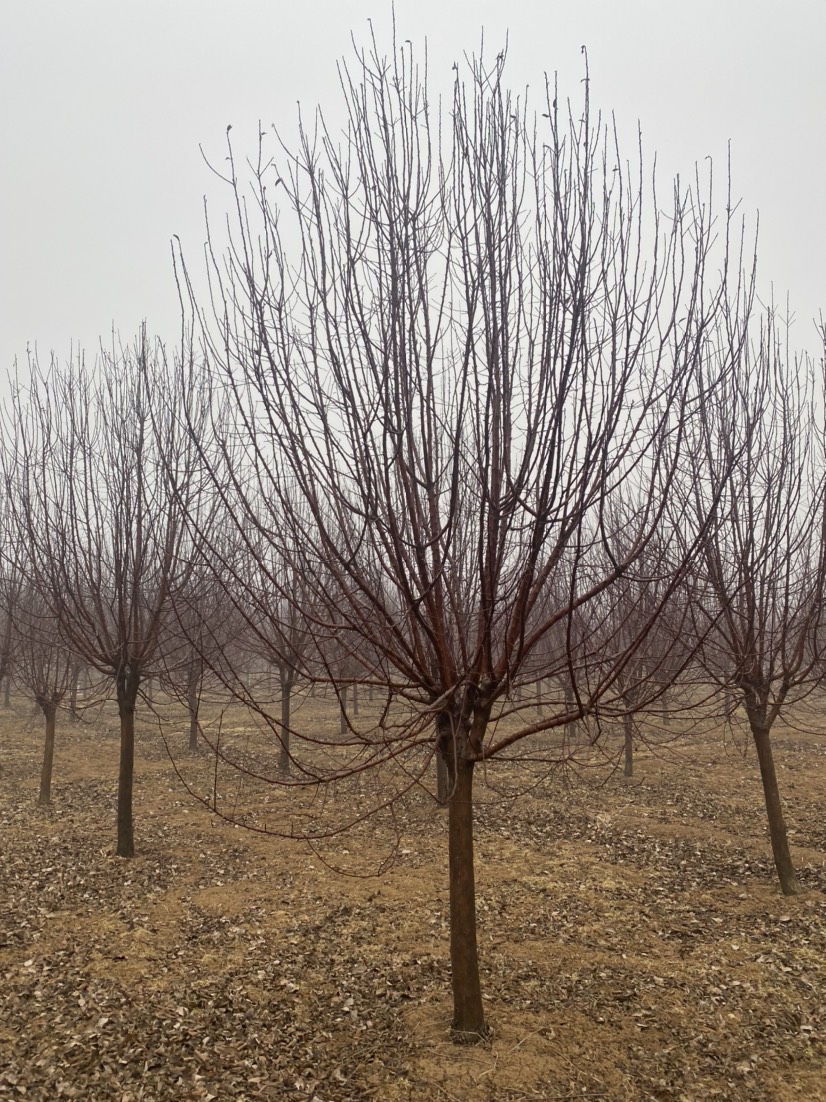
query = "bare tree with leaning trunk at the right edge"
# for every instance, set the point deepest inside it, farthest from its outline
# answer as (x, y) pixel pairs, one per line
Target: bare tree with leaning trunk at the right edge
(758, 588)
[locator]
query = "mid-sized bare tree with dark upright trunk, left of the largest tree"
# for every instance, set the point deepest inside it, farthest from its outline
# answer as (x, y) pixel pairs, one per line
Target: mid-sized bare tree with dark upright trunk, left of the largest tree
(100, 509)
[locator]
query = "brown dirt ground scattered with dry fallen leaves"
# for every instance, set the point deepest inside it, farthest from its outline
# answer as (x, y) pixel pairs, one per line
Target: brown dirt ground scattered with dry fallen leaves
(634, 943)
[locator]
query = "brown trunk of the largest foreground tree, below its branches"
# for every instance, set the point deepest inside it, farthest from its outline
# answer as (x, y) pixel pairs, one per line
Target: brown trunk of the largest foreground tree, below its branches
(469, 1019)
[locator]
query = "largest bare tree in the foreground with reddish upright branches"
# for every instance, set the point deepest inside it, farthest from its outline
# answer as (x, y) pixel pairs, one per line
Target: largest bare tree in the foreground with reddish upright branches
(486, 337)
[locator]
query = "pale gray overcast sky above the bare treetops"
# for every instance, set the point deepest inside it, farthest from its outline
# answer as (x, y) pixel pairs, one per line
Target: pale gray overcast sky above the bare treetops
(105, 106)
